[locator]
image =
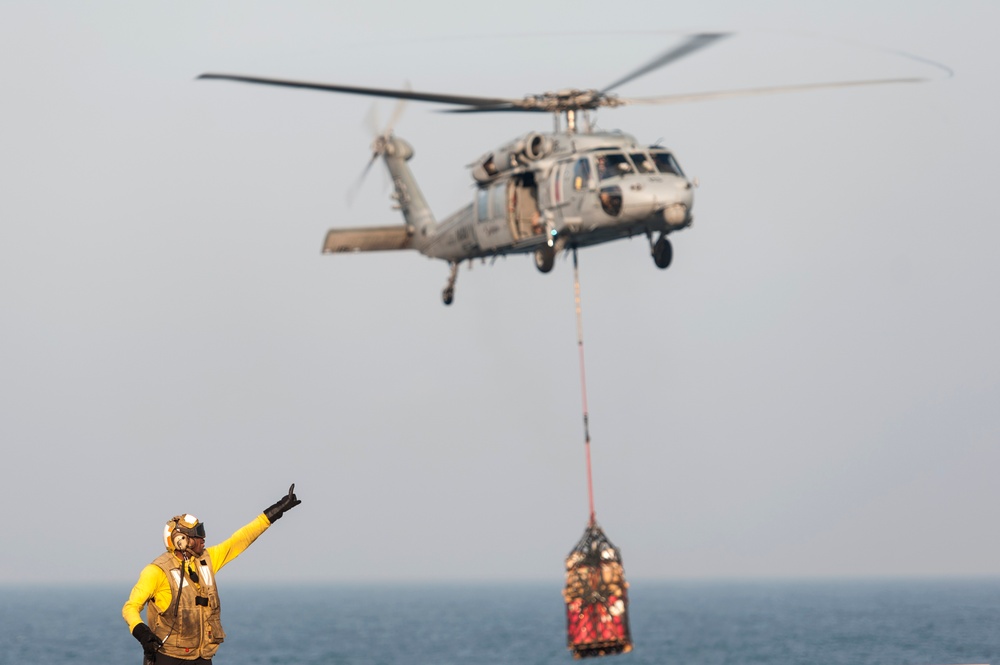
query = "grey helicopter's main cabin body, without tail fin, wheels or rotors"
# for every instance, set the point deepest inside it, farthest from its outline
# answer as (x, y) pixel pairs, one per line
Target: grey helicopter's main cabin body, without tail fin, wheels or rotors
(556, 190)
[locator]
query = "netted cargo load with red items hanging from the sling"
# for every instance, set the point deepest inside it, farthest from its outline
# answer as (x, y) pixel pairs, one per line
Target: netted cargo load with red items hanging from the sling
(596, 597)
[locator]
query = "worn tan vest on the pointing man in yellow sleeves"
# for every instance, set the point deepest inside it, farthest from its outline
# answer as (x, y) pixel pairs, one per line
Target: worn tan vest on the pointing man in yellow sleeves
(196, 632)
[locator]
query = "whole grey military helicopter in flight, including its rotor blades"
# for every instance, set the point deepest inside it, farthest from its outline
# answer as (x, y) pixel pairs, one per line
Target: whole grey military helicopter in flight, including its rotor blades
(543, 192)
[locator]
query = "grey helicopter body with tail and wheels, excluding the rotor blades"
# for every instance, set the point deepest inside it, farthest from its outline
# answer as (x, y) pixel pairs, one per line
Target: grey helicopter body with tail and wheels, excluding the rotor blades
(537, 195)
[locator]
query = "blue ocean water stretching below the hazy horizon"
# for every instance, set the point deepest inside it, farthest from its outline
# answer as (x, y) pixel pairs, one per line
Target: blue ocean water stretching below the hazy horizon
(898, 622)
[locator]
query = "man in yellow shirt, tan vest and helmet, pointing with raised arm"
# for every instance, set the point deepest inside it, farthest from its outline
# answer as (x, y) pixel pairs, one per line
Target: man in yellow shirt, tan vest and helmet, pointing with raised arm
(179, 592)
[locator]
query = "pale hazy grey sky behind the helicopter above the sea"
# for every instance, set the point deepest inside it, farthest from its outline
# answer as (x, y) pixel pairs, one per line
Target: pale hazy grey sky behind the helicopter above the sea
(810, 390)
